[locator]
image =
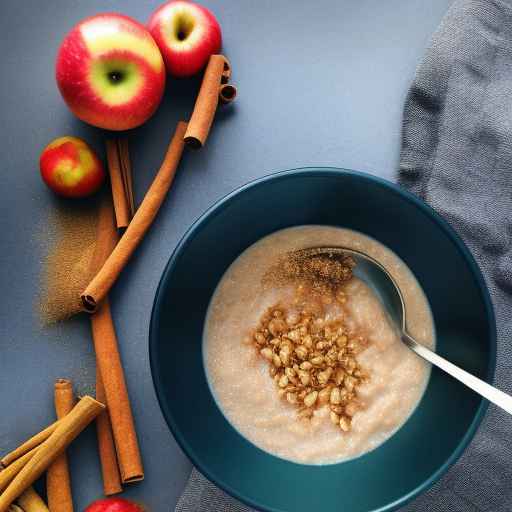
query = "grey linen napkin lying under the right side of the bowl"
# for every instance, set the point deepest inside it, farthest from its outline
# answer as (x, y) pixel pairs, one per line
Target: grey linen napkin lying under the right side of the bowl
(456, 155)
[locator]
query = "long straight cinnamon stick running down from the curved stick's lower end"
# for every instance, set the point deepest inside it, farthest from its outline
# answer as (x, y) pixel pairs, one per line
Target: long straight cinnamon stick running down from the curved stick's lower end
(118, 403)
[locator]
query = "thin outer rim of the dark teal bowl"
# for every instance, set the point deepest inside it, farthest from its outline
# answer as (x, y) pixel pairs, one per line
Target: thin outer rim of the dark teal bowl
(393, 188)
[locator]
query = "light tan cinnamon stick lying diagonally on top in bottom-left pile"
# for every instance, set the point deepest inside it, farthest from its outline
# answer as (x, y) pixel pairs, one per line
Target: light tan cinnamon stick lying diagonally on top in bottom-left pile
(68, 429)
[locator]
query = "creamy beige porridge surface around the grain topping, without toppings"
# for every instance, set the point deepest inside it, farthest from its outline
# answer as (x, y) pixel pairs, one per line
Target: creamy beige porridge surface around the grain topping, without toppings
(240, 379)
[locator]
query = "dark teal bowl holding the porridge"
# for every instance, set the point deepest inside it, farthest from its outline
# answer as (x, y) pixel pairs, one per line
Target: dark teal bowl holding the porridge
(448, 415)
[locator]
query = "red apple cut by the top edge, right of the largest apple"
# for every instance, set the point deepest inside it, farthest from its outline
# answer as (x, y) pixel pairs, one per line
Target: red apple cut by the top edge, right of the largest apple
(187, 34)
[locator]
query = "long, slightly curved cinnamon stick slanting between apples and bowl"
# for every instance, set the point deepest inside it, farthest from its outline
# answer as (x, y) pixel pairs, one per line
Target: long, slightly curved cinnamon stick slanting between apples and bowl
(142, 220)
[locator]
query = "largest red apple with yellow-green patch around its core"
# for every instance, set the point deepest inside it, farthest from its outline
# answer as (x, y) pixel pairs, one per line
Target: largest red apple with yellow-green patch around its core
(110, 72)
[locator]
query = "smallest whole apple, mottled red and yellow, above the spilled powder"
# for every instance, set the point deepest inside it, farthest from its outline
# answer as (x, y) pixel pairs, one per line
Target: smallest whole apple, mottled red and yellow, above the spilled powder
(71, 168)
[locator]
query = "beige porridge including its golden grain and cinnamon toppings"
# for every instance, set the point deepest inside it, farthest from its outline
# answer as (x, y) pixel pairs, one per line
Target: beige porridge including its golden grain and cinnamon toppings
(300, 355)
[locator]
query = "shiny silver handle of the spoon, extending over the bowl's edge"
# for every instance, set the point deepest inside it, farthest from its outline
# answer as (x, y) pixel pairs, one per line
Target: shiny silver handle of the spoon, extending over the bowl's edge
(481, 387)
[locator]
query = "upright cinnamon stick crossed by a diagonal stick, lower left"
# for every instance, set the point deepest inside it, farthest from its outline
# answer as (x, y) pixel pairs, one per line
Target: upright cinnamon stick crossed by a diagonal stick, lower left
(58, 481)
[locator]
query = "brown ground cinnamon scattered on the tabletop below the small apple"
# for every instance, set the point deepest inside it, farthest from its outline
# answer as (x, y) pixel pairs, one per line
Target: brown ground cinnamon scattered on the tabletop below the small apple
(66, 268)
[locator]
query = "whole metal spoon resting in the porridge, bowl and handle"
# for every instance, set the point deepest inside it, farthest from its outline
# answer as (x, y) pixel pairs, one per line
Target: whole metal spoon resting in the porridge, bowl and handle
(391, 297)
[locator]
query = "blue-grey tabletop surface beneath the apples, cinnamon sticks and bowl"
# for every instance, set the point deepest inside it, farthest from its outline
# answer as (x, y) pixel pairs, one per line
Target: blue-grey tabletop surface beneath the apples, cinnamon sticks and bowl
(320, 83)
